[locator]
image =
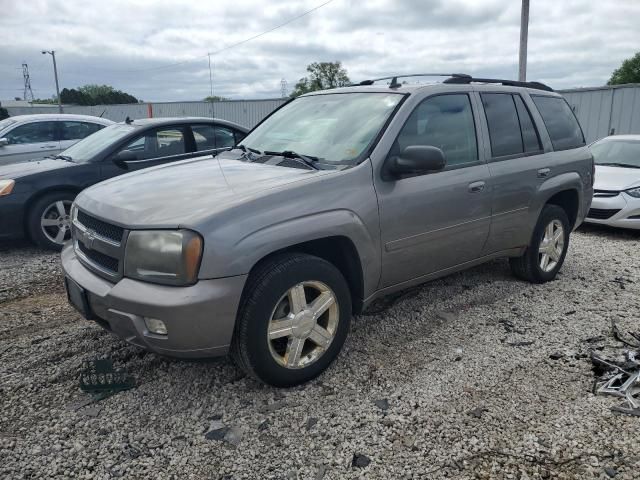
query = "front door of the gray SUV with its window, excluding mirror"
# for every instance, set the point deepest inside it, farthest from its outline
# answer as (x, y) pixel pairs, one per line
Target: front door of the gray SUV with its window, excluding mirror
(434, 221)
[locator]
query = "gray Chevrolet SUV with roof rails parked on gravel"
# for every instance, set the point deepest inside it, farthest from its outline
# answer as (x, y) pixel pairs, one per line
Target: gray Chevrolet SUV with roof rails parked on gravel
(337, 198)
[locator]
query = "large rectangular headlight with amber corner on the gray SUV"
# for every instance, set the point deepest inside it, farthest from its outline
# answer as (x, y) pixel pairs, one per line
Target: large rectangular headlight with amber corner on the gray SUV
(170, 257)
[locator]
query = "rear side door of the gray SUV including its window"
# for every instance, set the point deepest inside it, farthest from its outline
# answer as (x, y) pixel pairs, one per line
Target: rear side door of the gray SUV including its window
(518, 165)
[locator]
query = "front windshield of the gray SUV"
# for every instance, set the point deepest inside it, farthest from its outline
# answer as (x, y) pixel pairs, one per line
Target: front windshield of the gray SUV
(335, 128)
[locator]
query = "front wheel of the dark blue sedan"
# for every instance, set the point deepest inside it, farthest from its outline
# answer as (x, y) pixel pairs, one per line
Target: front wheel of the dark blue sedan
(46, 209)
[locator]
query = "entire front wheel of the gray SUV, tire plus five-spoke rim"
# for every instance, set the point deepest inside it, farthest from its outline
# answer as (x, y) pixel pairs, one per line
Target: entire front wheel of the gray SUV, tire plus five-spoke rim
(273, 292)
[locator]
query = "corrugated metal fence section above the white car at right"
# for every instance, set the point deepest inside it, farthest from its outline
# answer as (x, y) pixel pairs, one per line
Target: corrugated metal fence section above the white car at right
(606, 110)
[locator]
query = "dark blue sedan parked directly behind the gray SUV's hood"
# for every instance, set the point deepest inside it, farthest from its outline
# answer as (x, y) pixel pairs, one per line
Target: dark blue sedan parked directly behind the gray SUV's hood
(36, 196)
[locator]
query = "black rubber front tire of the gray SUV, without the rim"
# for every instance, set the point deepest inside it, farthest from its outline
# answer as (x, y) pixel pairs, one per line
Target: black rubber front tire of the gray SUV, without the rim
(262, 301)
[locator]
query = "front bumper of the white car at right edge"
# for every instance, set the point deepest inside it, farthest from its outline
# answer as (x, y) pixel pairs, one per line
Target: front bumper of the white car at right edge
(620, 210)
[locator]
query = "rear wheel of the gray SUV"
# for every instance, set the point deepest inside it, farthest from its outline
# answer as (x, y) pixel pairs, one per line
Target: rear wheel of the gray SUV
(530, 265)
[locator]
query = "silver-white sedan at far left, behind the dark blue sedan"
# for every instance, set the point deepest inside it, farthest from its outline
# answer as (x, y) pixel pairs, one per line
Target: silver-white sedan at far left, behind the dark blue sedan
(29, 137)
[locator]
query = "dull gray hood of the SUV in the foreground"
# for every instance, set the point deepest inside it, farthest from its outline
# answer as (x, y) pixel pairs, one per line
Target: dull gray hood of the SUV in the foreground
(183, 194)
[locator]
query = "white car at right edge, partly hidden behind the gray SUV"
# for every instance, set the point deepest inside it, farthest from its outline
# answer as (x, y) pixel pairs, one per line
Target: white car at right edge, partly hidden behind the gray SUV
(616, 198)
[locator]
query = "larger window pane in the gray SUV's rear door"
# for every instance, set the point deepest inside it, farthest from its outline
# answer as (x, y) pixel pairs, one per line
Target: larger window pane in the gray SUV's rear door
(504, 128)
